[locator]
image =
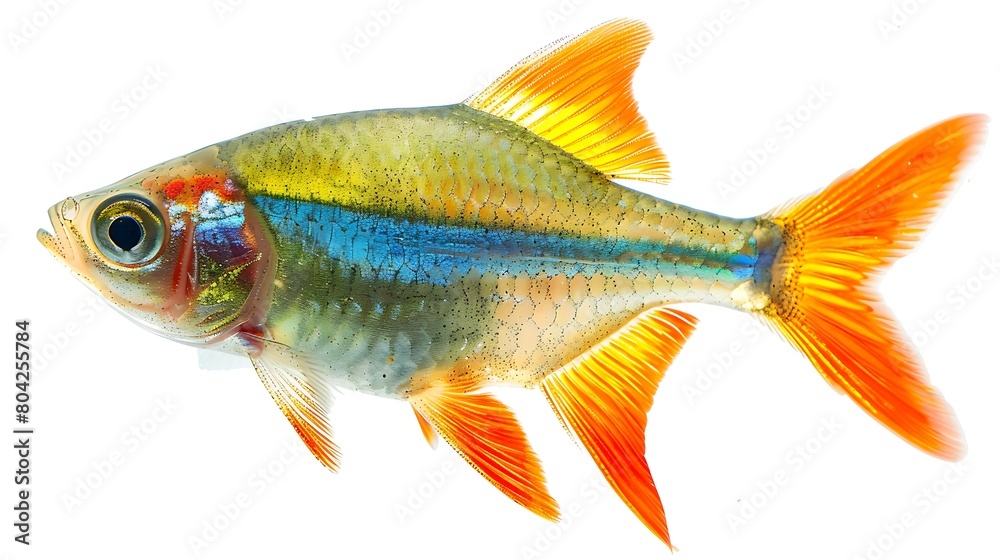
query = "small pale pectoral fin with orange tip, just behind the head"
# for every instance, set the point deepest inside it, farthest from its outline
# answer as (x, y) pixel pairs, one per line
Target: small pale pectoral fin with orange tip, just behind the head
(305, 400)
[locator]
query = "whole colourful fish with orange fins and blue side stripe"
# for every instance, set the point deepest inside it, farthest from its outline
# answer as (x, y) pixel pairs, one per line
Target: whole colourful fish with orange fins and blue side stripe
(430, 254)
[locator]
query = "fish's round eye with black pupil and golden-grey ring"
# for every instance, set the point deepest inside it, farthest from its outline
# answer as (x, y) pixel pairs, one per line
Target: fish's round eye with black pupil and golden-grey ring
(128, 230)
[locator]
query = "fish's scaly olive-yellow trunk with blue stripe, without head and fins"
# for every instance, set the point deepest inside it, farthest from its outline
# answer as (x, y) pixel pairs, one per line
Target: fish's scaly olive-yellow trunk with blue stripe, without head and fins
(460, 238)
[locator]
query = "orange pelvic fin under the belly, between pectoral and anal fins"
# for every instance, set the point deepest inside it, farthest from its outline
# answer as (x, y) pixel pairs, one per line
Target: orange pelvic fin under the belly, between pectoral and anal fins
(487, 435)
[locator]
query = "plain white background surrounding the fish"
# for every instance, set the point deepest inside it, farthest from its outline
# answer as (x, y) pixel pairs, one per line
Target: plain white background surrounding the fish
(229, 72)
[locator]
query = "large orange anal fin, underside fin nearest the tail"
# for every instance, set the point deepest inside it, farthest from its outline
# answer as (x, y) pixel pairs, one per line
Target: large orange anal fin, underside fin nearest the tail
(604, 395)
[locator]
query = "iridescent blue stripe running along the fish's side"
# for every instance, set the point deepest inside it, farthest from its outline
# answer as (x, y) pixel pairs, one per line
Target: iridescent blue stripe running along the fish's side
(398, 249)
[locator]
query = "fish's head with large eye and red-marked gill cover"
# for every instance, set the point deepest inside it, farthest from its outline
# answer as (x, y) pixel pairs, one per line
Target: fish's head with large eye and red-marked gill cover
(176, 248)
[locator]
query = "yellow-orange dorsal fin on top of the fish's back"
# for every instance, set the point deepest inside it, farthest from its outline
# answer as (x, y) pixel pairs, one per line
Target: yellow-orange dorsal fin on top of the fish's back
(577, 93)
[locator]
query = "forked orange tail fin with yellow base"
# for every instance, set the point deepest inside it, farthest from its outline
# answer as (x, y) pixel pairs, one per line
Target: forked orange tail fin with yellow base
(835, 246)
